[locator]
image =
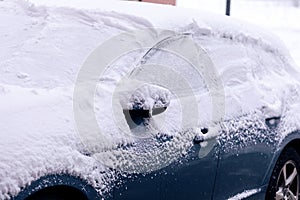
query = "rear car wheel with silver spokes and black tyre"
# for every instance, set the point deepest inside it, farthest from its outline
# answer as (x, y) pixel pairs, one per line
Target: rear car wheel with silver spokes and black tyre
(284, 183)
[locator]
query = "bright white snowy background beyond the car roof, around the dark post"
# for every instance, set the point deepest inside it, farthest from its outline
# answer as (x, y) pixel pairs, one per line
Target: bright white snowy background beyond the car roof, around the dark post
(278, 16)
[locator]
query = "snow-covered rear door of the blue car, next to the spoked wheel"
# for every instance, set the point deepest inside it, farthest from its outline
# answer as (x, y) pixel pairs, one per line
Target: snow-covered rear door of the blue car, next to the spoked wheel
(257, 85)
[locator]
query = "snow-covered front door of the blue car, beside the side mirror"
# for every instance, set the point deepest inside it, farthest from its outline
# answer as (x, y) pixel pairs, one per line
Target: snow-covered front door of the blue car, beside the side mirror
(188, 156)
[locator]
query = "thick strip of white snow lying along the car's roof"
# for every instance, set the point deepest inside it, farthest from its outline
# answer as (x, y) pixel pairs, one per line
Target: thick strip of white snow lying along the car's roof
(172, 17)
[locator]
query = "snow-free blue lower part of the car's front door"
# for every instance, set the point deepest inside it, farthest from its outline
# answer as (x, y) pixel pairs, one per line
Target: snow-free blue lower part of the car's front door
(189, 178)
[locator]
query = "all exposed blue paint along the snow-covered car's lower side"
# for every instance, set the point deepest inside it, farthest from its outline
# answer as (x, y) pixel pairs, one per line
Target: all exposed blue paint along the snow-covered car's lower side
(239, 169)
